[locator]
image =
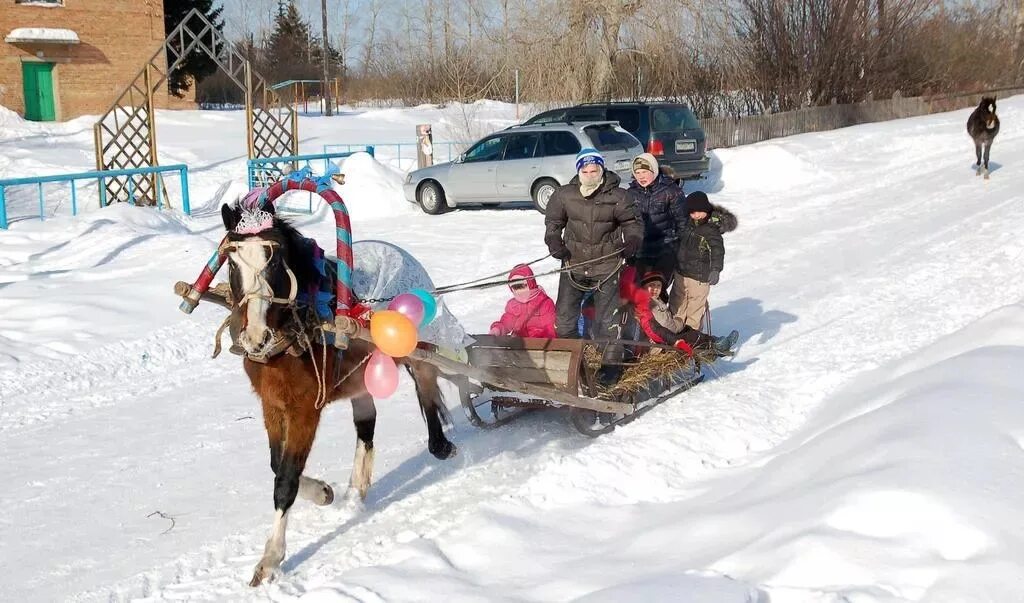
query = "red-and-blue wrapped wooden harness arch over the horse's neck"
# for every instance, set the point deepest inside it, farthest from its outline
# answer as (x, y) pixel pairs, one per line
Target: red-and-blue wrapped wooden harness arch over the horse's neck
(252, 205)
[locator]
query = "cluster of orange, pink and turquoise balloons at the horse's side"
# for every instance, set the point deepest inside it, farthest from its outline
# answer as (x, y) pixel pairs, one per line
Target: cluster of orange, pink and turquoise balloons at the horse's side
(396, 334)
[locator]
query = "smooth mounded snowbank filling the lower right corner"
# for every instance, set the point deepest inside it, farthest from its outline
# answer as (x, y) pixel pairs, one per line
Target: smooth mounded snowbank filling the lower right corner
(902, 489)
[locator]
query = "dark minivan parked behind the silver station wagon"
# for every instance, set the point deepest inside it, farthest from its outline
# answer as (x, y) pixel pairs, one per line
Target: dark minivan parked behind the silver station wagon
(669, 132)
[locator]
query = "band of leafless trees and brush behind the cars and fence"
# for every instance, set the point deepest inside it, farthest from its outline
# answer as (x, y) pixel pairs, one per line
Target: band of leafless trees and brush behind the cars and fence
(736, 58)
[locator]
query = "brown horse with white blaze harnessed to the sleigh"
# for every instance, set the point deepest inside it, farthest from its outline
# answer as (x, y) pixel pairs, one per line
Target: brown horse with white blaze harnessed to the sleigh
(295, 373)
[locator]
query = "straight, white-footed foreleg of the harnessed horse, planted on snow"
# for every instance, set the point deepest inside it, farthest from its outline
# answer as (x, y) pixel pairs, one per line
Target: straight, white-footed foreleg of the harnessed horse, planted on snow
(301, 429)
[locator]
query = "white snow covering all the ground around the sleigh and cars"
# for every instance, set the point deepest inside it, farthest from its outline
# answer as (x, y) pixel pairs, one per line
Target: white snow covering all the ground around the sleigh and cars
(866, 445)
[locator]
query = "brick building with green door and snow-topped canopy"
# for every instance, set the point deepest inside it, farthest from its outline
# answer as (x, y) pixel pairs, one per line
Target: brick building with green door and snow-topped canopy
(64, 59)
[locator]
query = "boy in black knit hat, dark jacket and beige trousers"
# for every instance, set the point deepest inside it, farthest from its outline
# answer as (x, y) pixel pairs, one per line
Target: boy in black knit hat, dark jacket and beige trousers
(700, 257)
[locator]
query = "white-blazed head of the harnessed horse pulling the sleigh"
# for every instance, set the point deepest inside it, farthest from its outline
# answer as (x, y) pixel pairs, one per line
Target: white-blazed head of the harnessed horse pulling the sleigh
(261, 248)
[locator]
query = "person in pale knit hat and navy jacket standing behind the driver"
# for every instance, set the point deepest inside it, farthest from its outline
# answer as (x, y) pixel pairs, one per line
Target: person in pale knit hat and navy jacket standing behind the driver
(660, 200)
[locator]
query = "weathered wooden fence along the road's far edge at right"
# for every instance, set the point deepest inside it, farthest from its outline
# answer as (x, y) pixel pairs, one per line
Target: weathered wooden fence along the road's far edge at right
(729, 132)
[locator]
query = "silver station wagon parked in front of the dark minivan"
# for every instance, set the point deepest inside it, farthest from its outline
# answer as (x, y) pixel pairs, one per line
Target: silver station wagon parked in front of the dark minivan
(521, 164)
